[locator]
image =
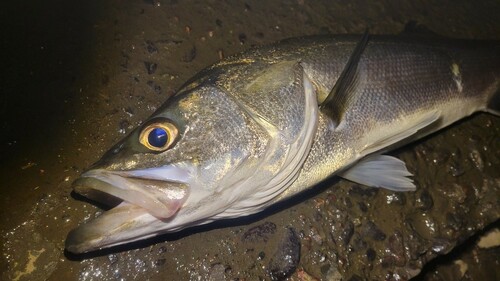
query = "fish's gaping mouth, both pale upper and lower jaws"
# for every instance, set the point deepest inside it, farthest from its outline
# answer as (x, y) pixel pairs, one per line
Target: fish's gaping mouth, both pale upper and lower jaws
(138, 198)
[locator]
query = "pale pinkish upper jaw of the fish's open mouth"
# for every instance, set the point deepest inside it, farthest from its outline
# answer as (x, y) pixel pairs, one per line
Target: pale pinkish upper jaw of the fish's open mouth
(161, 198)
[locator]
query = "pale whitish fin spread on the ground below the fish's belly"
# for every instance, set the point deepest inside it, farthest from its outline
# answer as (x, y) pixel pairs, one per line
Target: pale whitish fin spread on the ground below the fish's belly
(381, 171)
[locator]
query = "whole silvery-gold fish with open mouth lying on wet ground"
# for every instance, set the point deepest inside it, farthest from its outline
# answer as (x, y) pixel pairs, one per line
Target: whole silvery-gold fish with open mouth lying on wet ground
(264, 125)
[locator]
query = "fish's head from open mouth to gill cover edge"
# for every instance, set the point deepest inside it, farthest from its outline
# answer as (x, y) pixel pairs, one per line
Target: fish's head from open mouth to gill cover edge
(206, 154)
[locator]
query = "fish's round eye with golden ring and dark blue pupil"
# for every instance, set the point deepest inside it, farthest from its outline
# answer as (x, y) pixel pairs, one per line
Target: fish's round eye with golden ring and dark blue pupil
(158, 135)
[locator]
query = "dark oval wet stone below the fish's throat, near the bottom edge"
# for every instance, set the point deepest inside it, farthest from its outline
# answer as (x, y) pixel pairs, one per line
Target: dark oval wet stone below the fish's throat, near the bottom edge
(286, 257)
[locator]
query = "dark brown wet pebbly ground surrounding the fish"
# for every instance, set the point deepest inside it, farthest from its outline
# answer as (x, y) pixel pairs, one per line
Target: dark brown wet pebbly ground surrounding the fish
(77, 77)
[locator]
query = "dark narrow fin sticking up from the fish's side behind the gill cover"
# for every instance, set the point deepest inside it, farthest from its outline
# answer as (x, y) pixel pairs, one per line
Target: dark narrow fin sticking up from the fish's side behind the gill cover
(342, 92)
